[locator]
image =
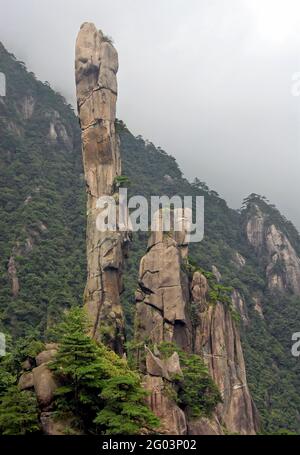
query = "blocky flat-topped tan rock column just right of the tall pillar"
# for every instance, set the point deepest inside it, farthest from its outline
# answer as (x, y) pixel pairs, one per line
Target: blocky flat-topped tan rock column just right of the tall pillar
(163, 295)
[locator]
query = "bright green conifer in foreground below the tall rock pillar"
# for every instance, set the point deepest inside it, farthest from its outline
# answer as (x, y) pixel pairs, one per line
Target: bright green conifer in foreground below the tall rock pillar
(98, 390)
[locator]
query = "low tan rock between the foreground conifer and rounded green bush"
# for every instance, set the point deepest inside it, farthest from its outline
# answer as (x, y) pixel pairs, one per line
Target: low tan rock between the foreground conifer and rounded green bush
(173, 421)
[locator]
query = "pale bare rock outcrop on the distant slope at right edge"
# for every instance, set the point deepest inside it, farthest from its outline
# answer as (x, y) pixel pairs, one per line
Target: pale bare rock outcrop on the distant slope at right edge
(282, 264)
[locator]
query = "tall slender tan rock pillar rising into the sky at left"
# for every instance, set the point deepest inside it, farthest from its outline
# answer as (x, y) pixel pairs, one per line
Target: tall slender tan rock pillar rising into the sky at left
(96, 68)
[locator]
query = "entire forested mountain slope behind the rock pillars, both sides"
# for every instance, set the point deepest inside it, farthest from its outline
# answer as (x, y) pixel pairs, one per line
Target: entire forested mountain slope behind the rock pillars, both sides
(42, 239)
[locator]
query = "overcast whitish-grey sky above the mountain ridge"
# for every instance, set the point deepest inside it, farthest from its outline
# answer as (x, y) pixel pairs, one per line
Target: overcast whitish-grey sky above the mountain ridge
(208, 80)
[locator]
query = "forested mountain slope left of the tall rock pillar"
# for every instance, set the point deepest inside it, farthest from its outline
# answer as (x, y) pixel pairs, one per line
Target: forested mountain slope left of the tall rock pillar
(42, 197)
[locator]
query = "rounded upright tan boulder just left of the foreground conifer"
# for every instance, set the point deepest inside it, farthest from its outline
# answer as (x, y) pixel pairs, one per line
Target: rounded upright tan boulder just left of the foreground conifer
(44, 385)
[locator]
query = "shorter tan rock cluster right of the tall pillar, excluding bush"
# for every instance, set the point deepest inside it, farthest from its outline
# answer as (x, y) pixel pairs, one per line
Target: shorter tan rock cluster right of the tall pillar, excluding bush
(171, 307)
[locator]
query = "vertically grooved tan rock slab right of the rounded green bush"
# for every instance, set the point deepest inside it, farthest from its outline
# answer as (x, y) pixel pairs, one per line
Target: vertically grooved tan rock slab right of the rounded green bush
(218, 341)
